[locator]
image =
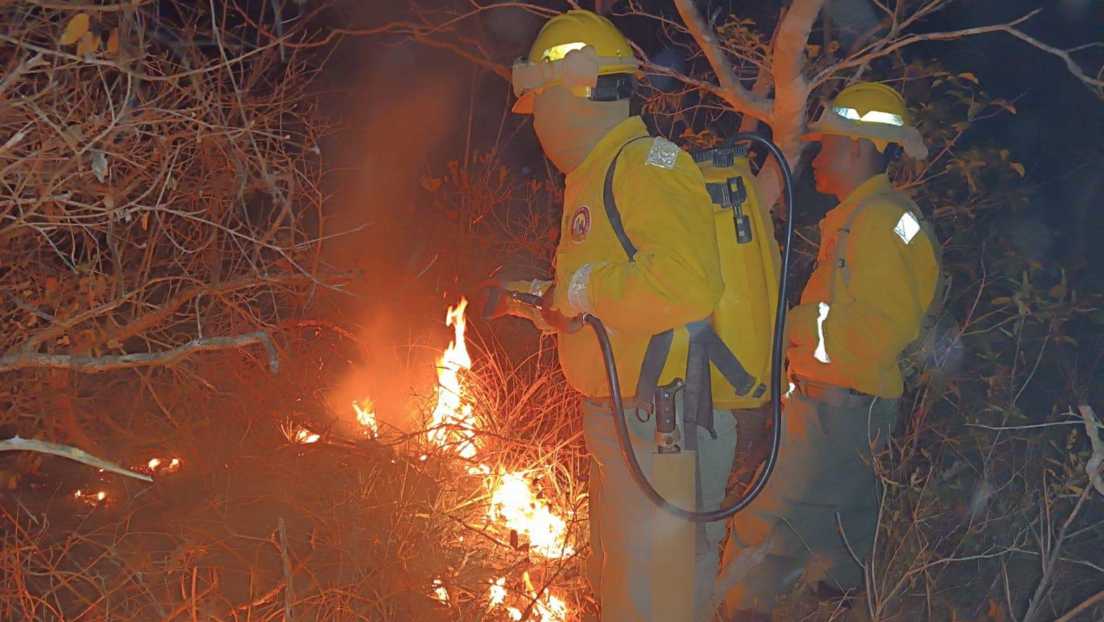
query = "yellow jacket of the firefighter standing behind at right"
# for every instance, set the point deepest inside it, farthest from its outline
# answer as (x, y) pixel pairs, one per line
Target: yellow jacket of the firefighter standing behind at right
(855, 340)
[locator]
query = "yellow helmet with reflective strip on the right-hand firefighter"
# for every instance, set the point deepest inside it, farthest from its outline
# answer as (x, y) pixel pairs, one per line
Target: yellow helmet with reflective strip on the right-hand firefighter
(872, 111)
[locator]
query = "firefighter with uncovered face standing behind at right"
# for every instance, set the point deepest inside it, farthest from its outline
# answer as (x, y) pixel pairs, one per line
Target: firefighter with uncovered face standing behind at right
(875, 282)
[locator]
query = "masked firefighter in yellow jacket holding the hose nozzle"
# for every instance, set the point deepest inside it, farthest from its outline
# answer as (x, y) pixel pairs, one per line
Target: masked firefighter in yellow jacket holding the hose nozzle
(577, 83)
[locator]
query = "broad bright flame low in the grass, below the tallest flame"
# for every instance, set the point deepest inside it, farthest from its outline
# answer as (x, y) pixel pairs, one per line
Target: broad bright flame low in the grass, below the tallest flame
(515, 503)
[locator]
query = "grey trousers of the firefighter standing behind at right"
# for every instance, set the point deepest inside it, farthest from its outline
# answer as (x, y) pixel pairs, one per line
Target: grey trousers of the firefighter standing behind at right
(822, 486)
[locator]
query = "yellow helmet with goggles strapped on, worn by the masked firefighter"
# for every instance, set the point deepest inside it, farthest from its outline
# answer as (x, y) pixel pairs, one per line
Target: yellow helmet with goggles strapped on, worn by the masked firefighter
(576, 50)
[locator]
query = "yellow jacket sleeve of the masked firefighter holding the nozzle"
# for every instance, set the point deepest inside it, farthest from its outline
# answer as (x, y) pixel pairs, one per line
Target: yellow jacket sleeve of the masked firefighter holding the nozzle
(676, 276)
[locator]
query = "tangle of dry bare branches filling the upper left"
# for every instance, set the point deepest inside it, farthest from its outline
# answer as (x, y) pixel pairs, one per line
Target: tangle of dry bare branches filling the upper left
(158, 195)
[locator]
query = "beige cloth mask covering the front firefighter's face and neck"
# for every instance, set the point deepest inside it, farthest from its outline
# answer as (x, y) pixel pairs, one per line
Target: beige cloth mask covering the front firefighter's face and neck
(569, 128)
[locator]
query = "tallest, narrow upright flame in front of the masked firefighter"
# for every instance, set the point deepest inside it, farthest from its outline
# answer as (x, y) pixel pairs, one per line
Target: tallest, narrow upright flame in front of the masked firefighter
(453, 423)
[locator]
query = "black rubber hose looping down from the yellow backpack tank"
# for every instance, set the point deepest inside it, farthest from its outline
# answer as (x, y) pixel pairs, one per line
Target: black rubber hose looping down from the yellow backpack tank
(777, 360)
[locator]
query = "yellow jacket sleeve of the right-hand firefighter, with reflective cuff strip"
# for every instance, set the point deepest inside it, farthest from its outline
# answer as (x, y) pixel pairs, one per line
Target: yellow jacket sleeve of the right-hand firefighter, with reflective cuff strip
(884, 309)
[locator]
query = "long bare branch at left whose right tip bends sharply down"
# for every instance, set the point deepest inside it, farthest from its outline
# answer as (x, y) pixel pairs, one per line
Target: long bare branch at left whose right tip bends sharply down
(94, 365)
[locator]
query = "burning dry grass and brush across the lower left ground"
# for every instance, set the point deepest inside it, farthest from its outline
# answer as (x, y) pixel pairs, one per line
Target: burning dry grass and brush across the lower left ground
(479, 515)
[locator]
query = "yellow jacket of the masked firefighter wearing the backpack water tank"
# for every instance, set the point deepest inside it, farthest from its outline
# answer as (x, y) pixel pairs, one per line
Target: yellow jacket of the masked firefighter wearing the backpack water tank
(675, 278)
